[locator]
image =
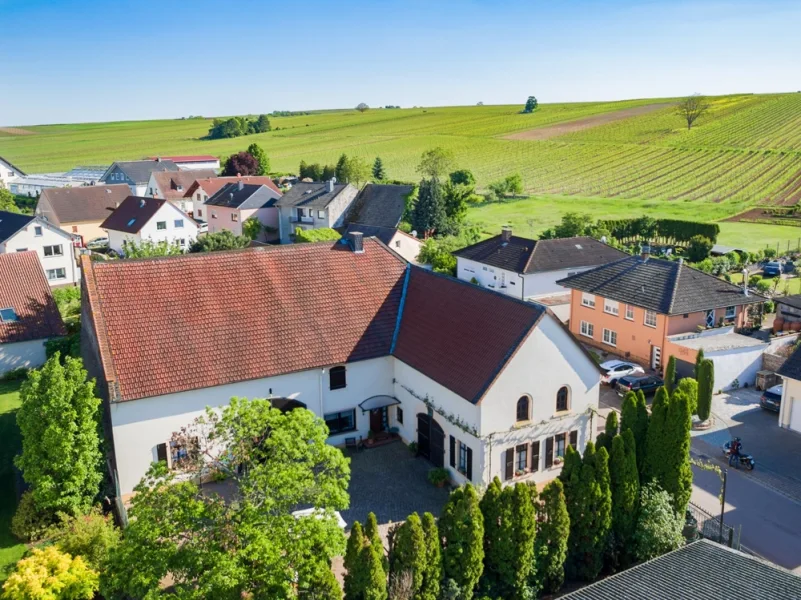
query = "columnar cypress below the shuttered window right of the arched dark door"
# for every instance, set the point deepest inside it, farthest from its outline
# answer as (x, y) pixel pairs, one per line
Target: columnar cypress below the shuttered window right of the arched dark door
(462, 529)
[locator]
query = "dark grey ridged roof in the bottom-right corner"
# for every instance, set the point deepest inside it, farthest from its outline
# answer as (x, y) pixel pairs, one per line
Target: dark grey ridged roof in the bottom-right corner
(704, 570)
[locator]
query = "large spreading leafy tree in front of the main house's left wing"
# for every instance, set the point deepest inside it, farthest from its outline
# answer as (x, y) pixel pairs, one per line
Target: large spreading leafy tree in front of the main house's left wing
(249, 544)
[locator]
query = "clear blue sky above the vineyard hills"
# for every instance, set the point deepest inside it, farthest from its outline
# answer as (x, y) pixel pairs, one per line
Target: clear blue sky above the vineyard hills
(72, 61)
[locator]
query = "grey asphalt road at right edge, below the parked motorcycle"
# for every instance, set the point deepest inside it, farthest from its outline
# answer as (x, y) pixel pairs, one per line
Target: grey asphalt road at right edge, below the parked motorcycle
(771, 522)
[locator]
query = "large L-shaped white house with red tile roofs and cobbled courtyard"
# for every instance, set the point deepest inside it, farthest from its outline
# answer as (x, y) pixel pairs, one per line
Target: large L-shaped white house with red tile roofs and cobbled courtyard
(486, 385)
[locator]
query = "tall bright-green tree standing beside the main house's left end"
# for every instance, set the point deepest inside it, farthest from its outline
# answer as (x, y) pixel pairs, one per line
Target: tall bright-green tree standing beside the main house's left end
(58, 419)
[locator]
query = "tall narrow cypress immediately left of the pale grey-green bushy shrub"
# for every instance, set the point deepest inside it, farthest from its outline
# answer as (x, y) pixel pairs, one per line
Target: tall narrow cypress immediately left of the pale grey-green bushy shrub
(625, 488)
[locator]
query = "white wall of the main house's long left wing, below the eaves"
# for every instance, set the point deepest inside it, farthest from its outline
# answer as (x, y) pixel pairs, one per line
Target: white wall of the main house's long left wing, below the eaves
(140, 425)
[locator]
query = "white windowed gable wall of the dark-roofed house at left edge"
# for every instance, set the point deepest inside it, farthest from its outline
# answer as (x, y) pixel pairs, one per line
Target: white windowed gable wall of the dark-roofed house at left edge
(26, 239)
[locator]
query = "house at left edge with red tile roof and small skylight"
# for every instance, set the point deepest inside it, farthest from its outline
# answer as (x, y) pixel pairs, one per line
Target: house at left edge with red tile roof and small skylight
(28, 314)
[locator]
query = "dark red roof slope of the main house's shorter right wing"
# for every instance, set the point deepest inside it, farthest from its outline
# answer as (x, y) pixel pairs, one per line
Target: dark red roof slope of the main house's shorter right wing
(459, 334)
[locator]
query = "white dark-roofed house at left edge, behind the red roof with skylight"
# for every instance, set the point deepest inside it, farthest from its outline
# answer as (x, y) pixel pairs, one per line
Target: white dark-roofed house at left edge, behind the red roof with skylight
(53, 246)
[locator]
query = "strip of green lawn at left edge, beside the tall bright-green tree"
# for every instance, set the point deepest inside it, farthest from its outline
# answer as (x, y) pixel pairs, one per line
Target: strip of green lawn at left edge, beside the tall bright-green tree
(10, 549)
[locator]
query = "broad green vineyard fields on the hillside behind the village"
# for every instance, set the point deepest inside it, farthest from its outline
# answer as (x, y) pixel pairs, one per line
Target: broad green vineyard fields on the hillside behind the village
(746, 150)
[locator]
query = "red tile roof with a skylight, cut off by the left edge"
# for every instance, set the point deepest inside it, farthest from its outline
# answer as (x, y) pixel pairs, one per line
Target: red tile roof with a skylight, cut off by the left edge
(24, 288)
